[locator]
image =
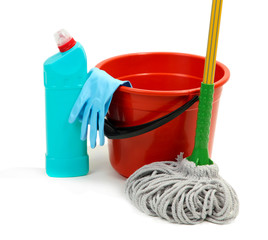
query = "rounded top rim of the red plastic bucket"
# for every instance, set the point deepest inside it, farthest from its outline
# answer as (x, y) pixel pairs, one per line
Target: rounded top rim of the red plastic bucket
(186, 92)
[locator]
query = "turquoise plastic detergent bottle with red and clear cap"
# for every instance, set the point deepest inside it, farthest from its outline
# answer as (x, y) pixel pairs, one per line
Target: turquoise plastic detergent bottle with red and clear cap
(64, 76)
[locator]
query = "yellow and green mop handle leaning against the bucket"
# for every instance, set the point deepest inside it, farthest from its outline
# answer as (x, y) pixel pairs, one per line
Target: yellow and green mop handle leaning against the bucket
(200, 155)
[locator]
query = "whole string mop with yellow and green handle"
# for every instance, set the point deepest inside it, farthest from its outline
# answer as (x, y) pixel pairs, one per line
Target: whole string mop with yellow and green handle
(190, 190)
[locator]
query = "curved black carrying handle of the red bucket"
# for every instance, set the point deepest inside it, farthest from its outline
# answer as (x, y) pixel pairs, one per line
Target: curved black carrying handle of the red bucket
(113, 132)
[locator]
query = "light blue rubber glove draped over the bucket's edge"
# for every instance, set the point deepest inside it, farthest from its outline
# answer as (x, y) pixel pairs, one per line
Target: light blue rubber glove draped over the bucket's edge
(93, 103)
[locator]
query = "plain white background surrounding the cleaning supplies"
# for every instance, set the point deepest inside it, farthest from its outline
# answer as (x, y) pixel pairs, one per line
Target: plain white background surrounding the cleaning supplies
(34, 206)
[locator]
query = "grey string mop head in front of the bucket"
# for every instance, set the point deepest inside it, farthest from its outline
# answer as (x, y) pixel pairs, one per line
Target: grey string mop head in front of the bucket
(182, 192)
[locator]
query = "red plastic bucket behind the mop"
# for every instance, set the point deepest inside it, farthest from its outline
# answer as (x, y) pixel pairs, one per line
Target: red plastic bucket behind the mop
(161, 82)
